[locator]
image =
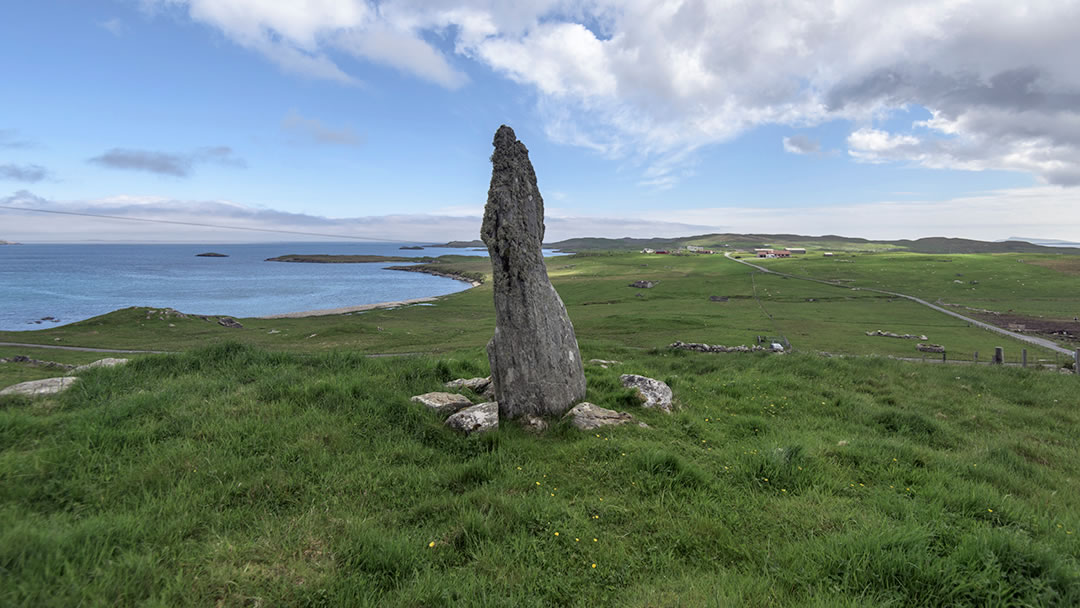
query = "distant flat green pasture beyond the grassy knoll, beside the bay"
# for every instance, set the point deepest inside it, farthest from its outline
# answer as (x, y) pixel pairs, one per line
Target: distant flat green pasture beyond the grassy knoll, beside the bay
(605, 310)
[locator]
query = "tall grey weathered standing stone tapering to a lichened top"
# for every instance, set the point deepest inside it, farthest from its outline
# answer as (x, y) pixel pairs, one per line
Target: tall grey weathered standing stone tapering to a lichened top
(536, 367)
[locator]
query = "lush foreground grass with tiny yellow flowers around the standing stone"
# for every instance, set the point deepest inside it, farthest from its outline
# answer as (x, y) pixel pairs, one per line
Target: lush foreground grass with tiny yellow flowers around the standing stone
(236, 477)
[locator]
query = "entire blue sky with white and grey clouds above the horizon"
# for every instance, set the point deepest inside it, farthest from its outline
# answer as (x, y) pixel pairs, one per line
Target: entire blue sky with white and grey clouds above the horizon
(374, 120)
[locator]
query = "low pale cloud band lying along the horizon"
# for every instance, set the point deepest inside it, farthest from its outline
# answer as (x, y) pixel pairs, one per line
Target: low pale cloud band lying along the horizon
(1047, 212)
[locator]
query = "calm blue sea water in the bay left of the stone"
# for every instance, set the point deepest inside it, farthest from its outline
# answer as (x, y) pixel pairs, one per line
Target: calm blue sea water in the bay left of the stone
(73, 282)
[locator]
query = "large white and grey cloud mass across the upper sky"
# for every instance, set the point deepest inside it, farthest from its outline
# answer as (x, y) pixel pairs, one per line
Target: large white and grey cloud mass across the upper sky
(655, 80)
